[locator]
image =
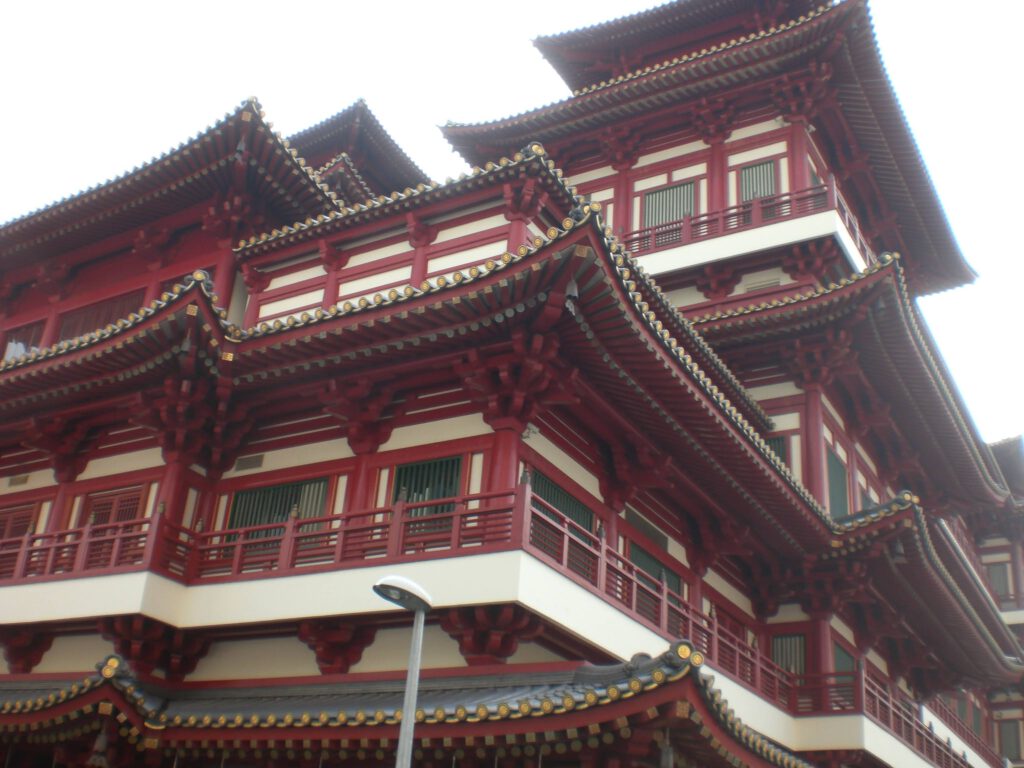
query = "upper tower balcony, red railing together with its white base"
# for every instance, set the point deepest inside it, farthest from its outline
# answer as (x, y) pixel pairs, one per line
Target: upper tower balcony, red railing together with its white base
(755, 226)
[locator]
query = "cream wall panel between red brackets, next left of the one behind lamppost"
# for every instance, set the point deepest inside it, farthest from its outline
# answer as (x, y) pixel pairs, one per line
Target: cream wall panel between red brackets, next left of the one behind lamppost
(260, 658)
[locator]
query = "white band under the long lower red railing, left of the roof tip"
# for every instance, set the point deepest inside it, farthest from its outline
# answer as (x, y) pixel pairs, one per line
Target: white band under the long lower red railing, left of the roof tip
(511, 577)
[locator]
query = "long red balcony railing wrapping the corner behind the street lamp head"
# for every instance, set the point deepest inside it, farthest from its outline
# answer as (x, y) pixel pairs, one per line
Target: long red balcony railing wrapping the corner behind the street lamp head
(508, 521)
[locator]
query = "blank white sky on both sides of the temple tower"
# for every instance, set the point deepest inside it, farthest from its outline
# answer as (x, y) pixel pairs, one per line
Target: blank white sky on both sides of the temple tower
(93, 90)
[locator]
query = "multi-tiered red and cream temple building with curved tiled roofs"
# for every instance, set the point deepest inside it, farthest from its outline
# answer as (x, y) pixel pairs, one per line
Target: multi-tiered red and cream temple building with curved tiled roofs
(645, 402)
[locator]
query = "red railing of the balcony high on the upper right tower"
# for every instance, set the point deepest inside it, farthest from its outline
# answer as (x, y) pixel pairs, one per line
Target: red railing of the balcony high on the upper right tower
(750, 216)
